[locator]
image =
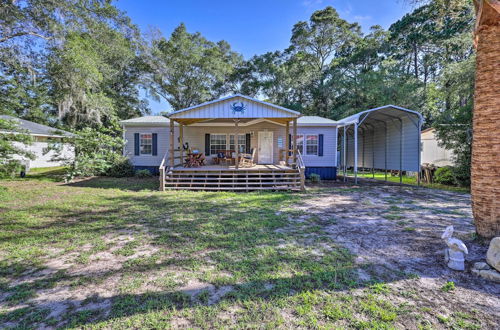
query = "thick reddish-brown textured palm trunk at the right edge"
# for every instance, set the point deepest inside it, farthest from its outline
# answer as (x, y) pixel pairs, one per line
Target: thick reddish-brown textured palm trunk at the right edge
(485, 171)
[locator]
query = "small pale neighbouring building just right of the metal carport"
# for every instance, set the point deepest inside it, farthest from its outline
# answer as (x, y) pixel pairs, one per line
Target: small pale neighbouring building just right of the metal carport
(431, 152)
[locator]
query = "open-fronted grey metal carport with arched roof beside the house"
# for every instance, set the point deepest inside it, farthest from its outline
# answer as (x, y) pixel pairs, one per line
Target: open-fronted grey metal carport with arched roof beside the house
(383, 138)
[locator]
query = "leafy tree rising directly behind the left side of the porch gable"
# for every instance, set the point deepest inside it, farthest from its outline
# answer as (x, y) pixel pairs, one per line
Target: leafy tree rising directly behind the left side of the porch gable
(187, 69)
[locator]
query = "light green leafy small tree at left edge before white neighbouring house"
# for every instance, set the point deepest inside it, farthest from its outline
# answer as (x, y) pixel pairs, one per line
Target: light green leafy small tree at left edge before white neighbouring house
(13, 142)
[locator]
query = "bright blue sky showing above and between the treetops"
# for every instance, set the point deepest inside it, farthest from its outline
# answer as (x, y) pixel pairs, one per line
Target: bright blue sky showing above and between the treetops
(252, 27)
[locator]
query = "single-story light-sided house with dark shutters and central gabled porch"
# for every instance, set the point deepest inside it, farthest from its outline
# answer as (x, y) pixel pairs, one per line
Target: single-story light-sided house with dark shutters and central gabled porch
(281, 146)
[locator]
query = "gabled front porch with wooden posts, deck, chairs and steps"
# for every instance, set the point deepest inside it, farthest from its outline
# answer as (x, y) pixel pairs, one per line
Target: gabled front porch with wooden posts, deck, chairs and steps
(226, 144)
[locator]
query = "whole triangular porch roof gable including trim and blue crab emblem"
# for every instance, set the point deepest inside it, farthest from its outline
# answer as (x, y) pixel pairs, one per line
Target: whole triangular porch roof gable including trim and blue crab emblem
(234, 107)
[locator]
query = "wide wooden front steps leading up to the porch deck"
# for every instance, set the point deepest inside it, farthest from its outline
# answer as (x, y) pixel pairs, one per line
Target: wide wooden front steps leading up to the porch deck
(240, 180)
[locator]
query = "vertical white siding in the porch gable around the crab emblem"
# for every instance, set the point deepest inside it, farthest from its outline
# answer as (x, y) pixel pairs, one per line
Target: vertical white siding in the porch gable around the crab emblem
(223, 109)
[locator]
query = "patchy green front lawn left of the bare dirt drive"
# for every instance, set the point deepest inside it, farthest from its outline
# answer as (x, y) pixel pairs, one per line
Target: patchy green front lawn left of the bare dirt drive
(116, 253)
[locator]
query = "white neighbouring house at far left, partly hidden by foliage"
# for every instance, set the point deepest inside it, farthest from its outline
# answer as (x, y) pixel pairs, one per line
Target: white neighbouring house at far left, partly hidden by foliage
(43, 136)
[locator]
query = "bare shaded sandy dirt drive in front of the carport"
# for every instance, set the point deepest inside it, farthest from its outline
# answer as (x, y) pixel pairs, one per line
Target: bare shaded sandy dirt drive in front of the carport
(395, 234)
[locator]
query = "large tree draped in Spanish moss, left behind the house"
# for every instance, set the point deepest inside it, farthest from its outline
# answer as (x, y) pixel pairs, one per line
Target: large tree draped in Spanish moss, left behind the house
(95, 76)
